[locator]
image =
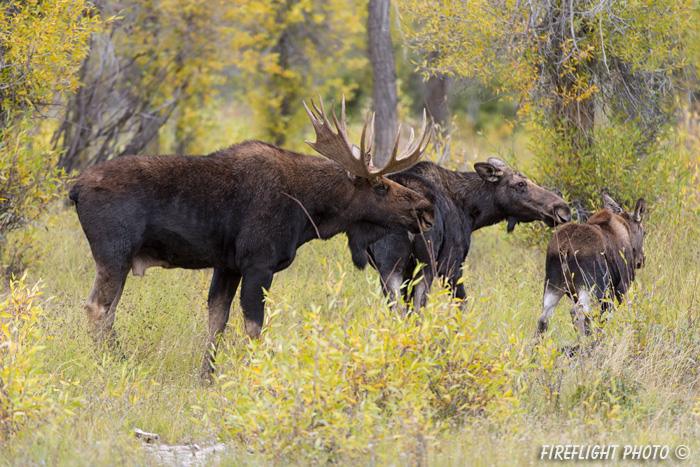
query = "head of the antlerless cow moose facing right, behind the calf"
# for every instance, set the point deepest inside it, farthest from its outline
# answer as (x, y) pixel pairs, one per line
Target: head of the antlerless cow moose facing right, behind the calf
(519, 198)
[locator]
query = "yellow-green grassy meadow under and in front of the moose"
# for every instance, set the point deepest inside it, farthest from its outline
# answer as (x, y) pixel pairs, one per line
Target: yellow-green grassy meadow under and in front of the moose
(640, 385)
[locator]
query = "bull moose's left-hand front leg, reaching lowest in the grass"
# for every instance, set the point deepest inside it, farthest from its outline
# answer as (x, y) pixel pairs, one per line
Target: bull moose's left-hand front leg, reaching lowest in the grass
(221, 292)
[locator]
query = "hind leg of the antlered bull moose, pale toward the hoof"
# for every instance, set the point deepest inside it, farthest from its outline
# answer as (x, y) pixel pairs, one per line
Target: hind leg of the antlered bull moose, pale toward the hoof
(101, 305)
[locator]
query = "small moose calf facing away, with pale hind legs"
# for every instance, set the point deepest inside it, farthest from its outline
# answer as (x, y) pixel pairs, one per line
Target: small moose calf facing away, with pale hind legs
(598, 258)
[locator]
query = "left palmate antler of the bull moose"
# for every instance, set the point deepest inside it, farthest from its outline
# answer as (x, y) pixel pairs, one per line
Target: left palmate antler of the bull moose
(335, 146)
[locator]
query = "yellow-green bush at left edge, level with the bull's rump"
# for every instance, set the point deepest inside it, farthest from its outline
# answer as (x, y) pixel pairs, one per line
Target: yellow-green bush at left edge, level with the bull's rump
(28, 183)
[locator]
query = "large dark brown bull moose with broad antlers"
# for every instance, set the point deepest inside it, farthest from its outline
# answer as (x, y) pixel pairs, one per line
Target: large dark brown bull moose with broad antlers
(243, 211)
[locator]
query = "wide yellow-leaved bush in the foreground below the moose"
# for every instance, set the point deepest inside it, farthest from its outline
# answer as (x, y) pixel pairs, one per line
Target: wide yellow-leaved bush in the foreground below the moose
(337, 390)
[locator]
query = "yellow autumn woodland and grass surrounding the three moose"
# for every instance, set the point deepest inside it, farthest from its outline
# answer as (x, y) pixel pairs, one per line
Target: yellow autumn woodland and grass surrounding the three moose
(583, 97)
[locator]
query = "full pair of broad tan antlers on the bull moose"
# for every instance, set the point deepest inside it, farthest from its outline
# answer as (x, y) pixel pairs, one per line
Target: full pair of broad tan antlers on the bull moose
(358, 161)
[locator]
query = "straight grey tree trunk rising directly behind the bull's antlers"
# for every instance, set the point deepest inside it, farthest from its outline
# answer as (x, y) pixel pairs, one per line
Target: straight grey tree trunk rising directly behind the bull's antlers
(384, 95)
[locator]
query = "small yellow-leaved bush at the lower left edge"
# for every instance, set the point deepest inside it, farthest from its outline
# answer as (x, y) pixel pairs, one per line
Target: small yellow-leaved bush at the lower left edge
(28, 394)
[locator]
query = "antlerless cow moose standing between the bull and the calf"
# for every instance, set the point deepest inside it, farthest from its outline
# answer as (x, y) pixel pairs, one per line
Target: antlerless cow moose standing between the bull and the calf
(463, 202)
